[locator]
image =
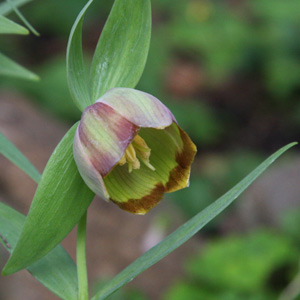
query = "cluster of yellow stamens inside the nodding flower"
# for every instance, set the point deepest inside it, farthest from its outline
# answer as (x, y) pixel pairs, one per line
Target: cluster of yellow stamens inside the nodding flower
(137, 152)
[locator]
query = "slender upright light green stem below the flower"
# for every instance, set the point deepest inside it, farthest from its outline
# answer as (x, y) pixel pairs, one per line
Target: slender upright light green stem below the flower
(83, 290)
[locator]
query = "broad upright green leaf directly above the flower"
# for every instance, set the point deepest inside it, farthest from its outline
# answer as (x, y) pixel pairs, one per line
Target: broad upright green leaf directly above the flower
(122, 49)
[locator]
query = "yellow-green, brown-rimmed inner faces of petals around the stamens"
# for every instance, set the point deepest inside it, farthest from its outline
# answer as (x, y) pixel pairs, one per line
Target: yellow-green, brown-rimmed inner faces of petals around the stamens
(172, 153)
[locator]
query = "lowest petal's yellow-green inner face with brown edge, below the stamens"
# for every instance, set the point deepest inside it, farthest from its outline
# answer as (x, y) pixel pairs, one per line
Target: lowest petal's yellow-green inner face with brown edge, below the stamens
(136, 192)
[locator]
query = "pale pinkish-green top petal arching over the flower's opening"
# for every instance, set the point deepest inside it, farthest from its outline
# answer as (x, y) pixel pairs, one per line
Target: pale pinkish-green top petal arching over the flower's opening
(140, 108)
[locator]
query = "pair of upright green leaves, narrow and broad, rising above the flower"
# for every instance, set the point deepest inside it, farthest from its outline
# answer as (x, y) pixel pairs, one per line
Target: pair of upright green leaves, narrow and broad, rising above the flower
(120, 56)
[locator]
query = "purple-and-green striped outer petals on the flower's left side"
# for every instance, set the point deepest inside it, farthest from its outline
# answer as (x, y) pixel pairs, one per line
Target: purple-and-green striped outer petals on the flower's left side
(101, 139)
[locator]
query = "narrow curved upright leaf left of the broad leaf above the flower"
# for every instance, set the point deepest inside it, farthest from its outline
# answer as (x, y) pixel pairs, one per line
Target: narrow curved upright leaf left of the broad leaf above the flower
(76, 75)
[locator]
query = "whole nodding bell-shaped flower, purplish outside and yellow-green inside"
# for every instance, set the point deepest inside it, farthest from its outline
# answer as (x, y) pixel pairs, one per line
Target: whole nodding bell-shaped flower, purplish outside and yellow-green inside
(129, 149)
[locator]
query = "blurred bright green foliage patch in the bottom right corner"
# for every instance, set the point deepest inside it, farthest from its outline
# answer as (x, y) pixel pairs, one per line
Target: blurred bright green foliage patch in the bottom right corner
(252, 266)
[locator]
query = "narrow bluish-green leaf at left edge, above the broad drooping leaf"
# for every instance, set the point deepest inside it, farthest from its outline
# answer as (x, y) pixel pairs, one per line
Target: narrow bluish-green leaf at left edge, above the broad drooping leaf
(11, 152)
